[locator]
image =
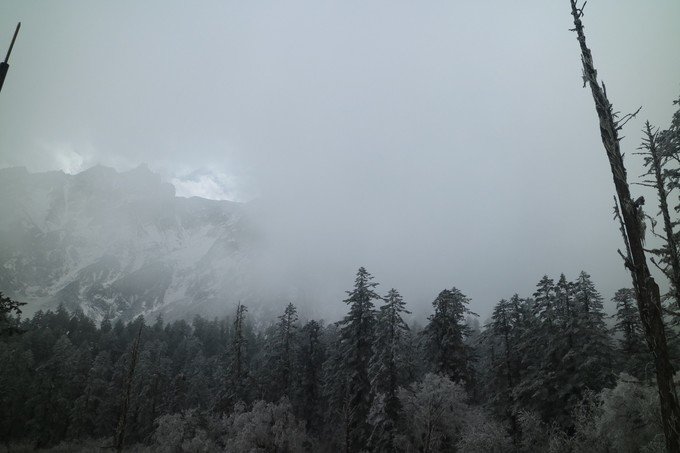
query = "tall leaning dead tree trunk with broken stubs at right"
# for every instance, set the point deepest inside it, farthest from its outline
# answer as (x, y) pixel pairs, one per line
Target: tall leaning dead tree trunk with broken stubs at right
(646, 289)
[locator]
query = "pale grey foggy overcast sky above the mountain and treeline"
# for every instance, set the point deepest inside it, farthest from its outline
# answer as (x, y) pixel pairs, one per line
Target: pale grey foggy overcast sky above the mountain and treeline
(437, 143)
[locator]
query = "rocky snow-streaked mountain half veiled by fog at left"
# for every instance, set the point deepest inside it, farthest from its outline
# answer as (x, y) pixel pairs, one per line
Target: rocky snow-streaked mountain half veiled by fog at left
(121, 244)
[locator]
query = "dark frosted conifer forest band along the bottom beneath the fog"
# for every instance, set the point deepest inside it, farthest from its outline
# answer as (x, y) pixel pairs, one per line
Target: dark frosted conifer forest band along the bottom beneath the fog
(543, 374)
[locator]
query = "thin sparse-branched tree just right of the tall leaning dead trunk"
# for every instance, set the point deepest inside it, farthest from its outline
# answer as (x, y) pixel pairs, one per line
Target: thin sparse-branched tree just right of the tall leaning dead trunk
(669, 259)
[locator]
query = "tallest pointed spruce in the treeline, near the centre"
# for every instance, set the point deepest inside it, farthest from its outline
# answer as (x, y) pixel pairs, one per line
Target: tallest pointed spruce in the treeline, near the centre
(357, 331)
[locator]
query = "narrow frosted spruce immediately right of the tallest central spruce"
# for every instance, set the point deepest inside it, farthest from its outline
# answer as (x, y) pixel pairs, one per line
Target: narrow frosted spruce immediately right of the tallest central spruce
(388, 370)
